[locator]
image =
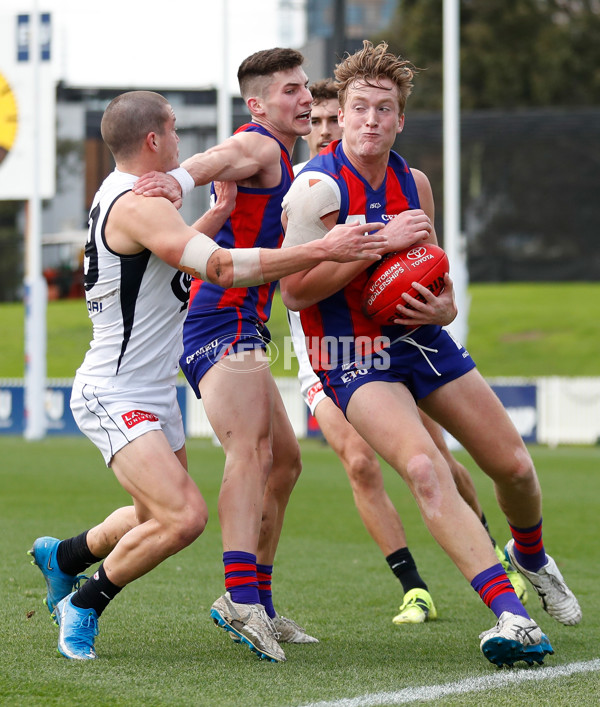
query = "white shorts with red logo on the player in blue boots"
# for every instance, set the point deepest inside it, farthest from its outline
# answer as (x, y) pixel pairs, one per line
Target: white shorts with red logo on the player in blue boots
(111, 418)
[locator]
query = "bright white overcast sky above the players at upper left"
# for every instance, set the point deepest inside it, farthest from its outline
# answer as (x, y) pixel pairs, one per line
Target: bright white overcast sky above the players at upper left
(167, 44)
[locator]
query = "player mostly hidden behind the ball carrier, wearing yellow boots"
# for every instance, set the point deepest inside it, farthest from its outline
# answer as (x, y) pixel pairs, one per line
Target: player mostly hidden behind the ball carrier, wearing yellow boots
(377, 511)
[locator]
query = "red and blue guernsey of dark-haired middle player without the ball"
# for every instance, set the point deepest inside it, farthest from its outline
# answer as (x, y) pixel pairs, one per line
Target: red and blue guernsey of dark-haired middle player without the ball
(255, 222)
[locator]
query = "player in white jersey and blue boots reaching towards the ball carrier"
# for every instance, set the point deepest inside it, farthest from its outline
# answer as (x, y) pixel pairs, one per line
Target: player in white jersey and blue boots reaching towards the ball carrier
(124, 395)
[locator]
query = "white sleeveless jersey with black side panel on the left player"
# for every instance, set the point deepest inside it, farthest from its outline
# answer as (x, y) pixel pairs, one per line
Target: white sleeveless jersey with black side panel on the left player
(137, 304)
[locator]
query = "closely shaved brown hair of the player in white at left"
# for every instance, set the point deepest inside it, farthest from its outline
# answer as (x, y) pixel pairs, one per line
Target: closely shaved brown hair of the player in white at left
(129, 118)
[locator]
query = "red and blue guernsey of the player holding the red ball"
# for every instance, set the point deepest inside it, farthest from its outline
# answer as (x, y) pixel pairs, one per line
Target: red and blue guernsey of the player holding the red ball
(341, 315)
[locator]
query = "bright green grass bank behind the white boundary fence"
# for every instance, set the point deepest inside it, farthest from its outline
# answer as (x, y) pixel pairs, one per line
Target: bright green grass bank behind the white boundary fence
(529, 329)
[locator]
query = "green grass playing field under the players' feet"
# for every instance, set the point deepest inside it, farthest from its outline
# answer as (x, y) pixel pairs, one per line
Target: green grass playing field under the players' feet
(157, 645)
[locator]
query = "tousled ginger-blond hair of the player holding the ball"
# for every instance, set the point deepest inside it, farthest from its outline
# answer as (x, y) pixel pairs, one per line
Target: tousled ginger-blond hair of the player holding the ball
(370, 64)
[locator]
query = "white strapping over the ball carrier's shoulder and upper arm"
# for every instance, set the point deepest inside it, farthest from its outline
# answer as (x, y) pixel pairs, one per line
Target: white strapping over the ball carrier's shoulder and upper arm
(304, 205)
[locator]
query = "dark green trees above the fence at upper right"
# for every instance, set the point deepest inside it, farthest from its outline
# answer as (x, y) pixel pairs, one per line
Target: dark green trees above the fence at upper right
(514, 53)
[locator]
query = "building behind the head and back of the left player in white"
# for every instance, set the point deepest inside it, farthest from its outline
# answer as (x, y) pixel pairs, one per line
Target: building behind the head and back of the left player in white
(83, 161)
